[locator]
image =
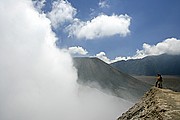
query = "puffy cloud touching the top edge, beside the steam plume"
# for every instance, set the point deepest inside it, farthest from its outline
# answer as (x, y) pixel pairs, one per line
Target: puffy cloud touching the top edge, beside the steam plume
(62, 11)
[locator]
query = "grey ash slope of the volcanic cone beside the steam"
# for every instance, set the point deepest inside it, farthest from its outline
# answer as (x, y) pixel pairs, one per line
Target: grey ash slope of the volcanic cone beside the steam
(93, 70)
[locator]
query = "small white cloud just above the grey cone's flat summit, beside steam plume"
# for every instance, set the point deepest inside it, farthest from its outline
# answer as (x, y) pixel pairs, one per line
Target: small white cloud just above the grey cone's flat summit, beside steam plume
(77, 50)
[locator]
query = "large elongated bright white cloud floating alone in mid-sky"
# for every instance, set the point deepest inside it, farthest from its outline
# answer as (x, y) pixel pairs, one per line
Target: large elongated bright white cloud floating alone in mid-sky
(100, 26)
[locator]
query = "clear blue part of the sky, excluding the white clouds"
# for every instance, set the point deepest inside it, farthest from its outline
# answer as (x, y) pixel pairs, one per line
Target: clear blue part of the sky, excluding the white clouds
(151, 22)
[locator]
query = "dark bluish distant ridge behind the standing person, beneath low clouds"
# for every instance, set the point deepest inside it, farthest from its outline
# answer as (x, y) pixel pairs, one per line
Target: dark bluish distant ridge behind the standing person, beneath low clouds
(151, 65)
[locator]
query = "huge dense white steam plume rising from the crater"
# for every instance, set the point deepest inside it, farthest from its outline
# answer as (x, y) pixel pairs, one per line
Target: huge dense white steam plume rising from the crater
(37, 79)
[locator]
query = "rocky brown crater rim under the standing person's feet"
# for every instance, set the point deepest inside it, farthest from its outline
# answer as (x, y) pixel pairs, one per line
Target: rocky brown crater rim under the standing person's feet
(156, 104)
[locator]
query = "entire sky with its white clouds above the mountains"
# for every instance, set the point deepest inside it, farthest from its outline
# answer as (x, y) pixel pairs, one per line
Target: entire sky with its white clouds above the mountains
(114, 30)
